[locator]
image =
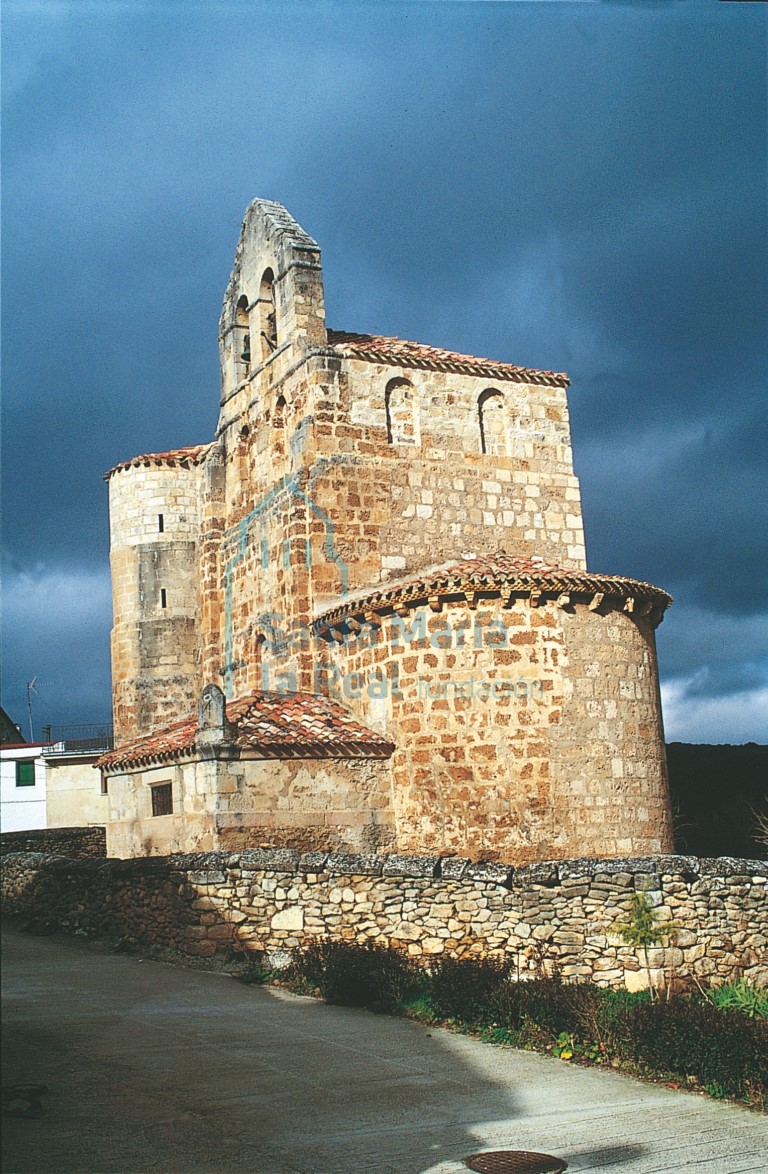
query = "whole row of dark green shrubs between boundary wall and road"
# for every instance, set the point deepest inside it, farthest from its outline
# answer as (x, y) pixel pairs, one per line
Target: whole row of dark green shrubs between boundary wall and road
(722, 1040)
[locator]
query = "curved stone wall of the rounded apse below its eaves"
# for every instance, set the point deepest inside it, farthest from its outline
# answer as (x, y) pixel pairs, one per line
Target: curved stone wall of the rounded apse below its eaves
(522, 733)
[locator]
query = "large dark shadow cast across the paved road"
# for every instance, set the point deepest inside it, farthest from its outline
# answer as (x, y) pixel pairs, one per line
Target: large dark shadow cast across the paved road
(152, 1068)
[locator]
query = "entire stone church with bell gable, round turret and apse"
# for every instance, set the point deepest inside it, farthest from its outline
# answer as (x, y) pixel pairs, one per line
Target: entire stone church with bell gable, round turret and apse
(361, 619)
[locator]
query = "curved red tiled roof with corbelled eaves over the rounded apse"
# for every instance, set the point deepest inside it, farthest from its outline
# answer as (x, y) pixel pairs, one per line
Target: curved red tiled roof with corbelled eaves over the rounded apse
(494, 575)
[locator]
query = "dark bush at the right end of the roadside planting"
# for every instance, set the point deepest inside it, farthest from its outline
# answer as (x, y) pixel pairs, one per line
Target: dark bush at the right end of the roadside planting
(691, 1038)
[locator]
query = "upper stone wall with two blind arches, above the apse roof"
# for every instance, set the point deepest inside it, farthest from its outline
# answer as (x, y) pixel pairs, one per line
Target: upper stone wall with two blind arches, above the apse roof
(441, 495)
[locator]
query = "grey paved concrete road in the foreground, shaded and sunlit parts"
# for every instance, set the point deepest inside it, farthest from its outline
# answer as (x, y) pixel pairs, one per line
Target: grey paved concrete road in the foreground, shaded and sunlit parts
(156, 1068)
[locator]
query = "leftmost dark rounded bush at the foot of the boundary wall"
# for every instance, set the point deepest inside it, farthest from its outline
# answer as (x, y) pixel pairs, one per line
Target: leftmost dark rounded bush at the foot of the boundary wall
(356, 976)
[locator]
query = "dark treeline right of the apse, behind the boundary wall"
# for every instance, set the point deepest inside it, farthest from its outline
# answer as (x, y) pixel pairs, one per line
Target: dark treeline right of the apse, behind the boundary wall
(720, 799)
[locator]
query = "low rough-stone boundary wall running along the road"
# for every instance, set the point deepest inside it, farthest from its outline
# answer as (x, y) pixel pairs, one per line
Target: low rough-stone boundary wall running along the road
(274, 902)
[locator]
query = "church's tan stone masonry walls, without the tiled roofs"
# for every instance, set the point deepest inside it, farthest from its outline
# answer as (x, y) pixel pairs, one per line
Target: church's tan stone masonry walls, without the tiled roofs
(333, 475)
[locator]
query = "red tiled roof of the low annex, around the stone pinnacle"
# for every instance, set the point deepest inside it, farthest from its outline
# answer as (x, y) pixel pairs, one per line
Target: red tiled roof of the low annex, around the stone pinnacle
(272, 726)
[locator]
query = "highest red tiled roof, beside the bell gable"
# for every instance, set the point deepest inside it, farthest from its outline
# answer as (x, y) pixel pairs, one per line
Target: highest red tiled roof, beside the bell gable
(405, 354)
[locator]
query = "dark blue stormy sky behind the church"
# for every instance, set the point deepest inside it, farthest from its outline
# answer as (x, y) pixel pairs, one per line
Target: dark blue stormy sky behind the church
(575, 186)
